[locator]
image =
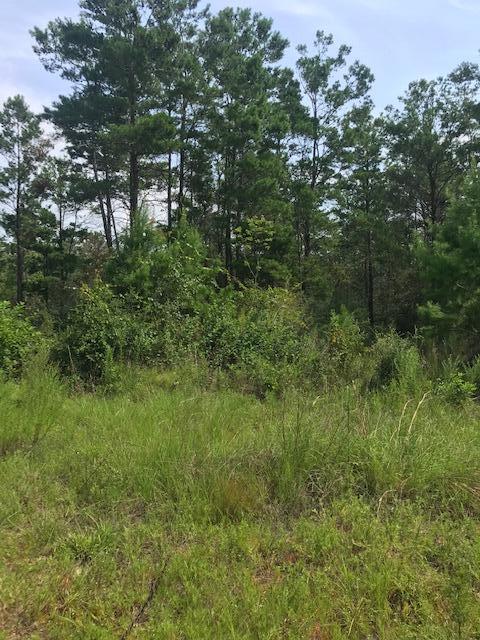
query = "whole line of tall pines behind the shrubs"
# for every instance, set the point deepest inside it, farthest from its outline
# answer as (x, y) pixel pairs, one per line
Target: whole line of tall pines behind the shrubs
(252, 174)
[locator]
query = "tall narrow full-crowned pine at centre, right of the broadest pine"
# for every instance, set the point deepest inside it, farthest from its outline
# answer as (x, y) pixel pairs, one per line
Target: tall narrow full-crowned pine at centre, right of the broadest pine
(240, 50)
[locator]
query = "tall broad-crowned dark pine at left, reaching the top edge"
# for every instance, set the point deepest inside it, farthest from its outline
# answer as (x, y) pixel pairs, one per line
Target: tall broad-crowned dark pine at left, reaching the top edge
(113, 56)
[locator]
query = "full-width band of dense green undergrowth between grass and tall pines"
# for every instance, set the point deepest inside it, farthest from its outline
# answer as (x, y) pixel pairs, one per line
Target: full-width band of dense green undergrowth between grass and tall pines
(162, 302)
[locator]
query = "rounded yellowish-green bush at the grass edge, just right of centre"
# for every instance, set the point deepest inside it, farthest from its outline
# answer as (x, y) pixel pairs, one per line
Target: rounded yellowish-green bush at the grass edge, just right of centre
(260, 336)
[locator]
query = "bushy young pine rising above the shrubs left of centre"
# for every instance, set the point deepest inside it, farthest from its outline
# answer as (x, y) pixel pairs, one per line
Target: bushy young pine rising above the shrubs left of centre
(163, 285)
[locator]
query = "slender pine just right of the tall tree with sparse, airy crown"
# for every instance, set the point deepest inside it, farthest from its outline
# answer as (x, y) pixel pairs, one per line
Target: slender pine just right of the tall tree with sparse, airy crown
(375, 247)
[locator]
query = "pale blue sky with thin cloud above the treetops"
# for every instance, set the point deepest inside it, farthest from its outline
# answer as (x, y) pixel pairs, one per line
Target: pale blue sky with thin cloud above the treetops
(401, 40)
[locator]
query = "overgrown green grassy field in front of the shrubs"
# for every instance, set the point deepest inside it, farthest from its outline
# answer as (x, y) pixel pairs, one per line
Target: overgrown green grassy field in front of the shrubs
(174, 512)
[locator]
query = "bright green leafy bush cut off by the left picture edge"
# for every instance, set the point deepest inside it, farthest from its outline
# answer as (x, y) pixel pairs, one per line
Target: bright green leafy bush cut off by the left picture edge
(18, 339)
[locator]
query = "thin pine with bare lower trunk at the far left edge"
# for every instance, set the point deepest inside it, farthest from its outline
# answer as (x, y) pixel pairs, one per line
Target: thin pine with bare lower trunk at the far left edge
(23, 149)
